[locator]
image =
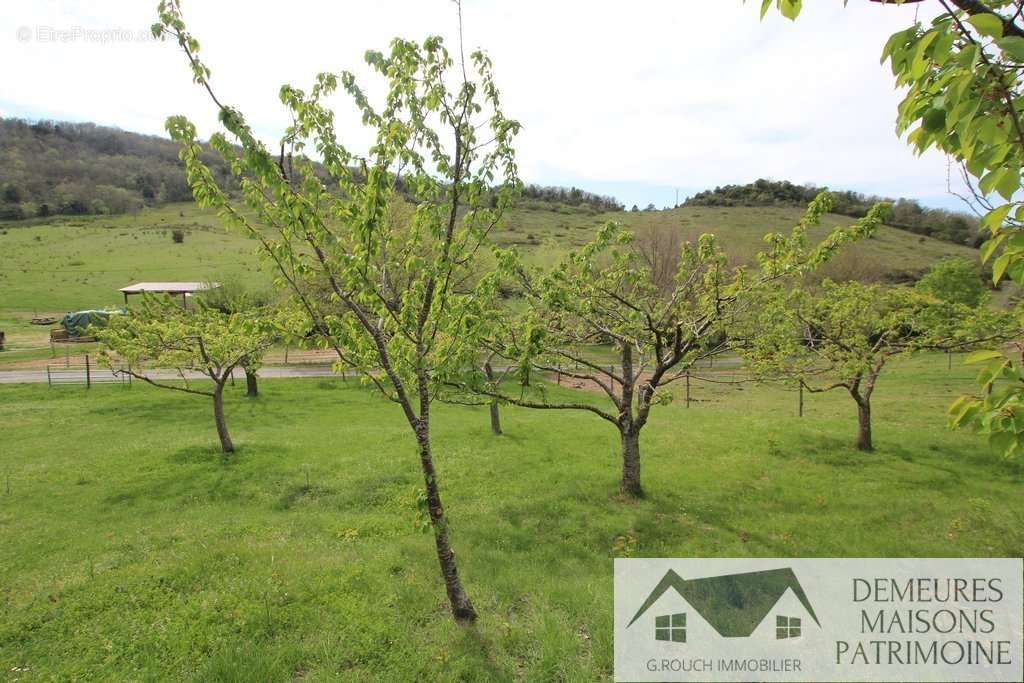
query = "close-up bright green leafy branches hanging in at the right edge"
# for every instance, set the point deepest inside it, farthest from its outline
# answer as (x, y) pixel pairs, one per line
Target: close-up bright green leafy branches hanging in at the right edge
(963, 77)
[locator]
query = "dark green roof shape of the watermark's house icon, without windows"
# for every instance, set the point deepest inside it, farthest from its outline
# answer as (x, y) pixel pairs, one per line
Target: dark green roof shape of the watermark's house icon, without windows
(734, 605)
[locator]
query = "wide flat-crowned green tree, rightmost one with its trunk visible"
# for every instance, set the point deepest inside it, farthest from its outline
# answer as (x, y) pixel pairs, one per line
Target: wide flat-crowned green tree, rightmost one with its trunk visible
(842, 336)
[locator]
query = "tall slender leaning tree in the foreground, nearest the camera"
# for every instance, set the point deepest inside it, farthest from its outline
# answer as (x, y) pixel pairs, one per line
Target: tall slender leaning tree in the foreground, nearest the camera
(415, 306)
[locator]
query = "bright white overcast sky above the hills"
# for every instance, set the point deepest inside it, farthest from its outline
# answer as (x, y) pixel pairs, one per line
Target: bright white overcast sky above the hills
(639, 101)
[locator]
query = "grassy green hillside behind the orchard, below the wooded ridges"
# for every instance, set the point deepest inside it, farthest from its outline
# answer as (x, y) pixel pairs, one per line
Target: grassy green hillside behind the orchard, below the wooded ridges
(80, 263)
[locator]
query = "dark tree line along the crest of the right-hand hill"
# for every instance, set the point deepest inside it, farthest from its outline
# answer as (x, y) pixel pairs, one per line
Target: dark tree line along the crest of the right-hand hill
(908, 215)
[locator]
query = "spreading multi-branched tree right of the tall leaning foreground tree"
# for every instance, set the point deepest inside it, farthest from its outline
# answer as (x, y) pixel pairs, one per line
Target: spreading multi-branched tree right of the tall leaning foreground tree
(610, 292)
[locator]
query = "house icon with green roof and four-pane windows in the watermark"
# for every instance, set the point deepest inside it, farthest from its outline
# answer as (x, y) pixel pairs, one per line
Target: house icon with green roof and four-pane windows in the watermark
(735, 606)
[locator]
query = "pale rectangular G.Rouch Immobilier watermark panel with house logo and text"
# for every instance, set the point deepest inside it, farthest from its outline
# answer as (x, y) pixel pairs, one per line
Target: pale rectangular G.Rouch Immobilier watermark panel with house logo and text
(820, 620)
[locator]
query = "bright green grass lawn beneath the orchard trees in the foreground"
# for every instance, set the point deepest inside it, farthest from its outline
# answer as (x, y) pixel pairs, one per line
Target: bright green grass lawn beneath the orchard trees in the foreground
(132, 550)
